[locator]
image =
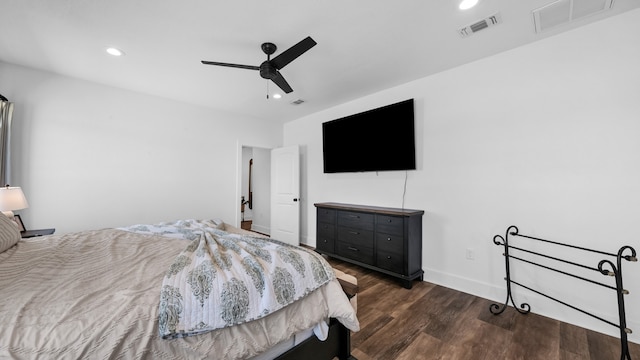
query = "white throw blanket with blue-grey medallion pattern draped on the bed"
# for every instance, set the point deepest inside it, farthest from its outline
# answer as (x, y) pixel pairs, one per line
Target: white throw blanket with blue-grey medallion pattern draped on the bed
(222, 279)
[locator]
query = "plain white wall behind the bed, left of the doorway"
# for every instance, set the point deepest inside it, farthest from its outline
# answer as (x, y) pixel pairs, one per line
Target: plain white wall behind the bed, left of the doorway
(89, 156)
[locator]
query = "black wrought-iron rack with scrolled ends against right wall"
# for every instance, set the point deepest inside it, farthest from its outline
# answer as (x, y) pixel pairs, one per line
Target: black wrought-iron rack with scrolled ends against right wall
(605, 267)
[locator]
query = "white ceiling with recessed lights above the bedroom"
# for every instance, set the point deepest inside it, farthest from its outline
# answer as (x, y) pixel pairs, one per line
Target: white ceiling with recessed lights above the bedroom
(363, 46)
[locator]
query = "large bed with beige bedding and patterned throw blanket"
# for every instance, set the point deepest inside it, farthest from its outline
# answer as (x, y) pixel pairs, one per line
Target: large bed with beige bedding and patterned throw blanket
(101, 294)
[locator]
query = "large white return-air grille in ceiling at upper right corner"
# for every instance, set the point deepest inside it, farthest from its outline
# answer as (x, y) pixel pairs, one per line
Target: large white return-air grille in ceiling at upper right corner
(564, 11)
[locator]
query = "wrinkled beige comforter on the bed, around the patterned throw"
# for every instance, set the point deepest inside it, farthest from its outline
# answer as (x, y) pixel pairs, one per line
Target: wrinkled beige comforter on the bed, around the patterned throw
(96, 294)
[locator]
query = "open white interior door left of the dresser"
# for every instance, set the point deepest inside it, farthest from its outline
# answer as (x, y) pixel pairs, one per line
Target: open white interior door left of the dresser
(285, 194)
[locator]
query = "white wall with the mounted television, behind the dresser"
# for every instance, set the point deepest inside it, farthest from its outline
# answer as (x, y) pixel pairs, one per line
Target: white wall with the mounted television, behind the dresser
(544, 137)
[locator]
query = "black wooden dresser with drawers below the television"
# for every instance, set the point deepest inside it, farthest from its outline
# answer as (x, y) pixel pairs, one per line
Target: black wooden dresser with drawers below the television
(387, 240)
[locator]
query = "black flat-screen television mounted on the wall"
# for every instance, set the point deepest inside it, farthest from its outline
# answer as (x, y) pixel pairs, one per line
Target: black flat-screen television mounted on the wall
(381, 139)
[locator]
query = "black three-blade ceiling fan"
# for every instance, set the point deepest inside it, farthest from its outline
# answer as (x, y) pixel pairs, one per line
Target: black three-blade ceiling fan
(269, 68)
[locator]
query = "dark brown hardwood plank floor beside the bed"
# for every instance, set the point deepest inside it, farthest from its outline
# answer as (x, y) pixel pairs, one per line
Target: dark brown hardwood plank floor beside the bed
(434, 322)
